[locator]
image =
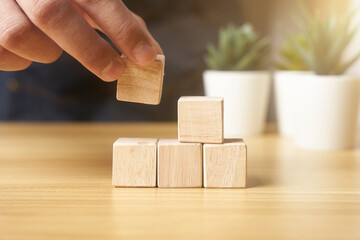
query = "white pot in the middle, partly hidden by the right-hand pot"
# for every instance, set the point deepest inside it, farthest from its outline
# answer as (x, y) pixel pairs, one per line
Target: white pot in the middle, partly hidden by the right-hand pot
(285, 88)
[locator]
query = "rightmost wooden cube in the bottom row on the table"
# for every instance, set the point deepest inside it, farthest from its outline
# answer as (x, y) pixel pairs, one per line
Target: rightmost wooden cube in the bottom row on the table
(225, 164)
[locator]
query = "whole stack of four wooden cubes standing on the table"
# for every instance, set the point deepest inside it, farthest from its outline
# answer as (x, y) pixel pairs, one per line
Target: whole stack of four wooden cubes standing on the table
(200, 157)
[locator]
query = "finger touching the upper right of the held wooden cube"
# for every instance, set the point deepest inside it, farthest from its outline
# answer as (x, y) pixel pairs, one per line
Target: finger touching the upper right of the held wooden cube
(122, 27)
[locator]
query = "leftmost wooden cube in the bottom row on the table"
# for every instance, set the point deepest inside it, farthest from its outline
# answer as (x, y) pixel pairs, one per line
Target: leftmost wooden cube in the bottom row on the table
(134, 162)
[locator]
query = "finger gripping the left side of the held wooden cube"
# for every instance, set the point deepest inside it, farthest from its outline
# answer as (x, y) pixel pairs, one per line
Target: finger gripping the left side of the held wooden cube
(63, 24)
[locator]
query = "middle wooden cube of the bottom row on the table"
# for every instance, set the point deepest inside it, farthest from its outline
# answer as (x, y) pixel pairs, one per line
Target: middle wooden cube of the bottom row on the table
(179, 164)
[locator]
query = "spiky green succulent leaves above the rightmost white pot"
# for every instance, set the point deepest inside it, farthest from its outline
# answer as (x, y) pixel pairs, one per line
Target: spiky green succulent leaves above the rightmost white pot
(326, 37)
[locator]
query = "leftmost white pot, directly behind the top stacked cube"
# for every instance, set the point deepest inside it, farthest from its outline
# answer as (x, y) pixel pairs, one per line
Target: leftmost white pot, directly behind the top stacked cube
(246, 99)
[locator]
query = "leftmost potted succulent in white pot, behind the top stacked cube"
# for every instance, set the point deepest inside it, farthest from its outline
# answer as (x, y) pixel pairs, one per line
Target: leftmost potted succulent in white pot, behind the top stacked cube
(237, 72)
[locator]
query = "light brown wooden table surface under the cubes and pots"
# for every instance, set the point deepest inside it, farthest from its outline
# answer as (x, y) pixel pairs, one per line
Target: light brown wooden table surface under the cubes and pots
(55, 183)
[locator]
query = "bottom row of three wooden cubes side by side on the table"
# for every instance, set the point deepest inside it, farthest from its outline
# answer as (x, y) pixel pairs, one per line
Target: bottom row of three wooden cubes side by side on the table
(178, 164)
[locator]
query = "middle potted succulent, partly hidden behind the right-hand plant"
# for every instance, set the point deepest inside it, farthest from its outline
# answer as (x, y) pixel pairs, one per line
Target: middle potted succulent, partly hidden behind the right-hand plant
(290, 69)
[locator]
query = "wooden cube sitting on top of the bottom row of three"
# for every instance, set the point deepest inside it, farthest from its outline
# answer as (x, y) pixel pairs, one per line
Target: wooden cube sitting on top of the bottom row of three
(201, 119)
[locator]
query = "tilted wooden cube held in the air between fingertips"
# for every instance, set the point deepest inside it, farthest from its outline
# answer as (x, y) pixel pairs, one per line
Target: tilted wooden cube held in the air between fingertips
(141, 84)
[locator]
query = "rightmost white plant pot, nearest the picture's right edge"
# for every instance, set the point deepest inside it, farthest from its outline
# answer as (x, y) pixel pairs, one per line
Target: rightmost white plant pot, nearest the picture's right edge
(327, 114)
